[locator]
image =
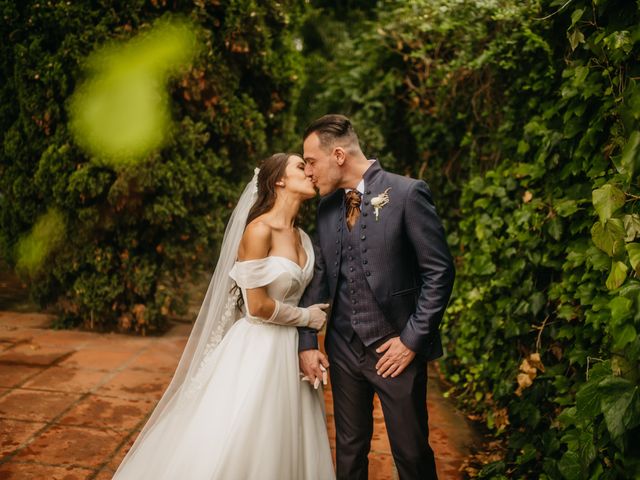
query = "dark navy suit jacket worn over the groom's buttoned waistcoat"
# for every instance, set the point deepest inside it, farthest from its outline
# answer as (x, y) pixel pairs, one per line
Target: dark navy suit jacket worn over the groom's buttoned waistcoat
(408, 265)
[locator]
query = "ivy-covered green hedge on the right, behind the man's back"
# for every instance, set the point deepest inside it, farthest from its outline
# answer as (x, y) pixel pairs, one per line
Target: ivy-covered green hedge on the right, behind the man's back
(524, 118)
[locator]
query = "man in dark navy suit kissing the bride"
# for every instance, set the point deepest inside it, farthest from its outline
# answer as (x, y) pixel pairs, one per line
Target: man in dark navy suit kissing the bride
(383, 262)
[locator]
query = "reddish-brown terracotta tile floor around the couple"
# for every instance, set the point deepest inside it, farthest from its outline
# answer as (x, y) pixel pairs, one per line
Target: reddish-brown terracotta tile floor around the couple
(72, 403)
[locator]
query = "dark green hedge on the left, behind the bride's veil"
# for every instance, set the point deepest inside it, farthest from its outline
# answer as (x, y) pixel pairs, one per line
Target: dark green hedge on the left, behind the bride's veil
(135, 234)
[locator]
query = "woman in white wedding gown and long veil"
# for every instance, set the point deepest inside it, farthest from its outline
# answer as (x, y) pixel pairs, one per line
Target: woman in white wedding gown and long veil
(236, 408)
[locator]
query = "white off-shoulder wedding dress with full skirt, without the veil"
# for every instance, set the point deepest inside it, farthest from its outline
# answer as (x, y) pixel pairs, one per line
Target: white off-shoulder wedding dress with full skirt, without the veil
(247, 415)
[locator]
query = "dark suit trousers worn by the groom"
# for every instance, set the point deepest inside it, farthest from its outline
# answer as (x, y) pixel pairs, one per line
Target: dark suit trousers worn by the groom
(353, 382)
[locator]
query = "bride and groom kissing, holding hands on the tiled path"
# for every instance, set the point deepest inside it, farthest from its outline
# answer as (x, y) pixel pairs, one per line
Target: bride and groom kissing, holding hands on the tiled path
(245, 402)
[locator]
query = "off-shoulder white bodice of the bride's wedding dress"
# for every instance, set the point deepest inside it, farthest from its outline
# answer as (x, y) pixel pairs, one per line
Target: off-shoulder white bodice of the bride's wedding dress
(285, 279)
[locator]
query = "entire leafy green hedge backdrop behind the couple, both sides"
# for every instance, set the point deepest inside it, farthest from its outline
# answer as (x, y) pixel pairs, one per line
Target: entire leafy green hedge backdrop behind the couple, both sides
(523, 116)
